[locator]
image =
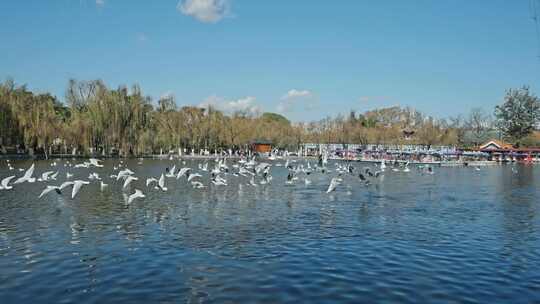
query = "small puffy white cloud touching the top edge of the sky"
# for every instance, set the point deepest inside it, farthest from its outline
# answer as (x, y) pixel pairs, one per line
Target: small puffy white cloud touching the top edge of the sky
(210, 11)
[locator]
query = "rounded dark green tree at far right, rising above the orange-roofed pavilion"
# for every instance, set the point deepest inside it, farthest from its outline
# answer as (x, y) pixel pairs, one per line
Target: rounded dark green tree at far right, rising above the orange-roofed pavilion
(519, 114)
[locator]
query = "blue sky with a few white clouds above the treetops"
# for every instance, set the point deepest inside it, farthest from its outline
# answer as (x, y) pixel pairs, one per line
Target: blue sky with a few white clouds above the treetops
(305, 58)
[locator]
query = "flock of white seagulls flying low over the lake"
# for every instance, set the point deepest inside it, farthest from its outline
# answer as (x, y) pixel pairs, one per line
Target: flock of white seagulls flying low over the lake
(249, 172)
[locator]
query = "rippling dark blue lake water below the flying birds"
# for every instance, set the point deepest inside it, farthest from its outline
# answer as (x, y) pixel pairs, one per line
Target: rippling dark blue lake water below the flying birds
(459, 235)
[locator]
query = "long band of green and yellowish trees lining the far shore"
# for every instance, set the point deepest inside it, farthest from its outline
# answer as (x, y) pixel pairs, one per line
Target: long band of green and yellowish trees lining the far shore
(96, 119)
